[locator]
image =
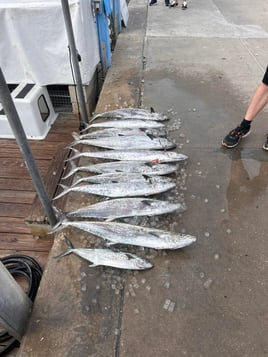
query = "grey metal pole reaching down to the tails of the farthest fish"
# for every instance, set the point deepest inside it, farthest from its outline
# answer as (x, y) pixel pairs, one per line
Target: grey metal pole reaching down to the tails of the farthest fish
(74, 57)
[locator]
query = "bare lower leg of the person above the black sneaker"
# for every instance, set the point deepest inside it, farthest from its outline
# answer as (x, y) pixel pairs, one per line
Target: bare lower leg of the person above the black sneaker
(258, 102)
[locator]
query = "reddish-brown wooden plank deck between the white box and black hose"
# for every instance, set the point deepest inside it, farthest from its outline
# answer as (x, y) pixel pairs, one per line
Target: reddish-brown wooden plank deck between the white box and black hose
(17, 192)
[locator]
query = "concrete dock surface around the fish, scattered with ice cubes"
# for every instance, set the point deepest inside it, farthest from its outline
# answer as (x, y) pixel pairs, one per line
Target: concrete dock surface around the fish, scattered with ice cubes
(200, 66)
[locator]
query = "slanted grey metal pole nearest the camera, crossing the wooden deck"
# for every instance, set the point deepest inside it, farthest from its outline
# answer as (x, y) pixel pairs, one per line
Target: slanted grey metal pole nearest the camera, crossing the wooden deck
(17, 128)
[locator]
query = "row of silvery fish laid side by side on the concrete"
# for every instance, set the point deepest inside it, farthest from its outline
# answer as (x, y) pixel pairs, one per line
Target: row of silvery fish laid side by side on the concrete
(136, 139)
